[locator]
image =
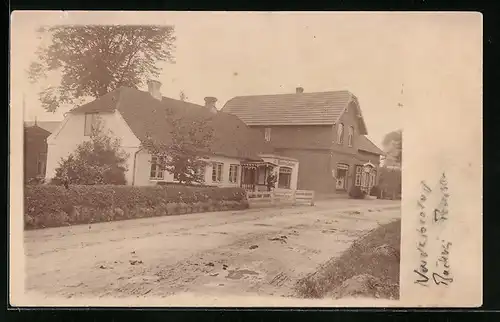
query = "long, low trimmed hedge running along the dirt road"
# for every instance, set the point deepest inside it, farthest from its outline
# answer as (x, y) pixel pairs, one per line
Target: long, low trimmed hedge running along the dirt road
(54, 206)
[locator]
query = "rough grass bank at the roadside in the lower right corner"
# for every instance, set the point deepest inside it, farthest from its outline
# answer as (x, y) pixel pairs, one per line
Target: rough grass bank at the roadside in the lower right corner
(360, 258)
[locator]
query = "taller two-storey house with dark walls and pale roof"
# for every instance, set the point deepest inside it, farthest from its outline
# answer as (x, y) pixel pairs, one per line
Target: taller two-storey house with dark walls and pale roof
(324, 131)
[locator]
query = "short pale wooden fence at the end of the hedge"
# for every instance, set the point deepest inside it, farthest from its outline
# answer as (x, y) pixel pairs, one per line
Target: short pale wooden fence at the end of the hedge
(281, 196)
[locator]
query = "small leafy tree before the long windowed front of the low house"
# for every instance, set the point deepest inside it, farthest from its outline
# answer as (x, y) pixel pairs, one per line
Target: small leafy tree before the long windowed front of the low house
(185, 156)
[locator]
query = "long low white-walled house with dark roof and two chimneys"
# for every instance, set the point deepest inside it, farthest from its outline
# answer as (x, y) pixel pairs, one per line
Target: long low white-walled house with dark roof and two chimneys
(239, 155)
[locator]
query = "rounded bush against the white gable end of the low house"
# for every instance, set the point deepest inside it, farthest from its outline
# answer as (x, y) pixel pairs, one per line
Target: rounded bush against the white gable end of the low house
(97, 161)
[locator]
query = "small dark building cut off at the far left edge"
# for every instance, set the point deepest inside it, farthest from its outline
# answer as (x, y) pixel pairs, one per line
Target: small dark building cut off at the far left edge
(35, 151)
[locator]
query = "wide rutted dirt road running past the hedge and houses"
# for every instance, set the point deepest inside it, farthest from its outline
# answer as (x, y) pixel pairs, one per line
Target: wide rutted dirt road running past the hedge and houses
(257, 252)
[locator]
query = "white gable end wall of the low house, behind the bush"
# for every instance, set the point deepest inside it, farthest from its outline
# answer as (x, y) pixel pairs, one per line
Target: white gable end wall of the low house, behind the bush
(66, 139)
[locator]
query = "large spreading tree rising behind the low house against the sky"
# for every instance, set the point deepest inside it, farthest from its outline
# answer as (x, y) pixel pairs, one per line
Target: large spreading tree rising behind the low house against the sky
(95, 60)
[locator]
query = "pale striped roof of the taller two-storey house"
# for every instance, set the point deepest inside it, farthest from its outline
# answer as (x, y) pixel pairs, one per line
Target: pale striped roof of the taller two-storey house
(319, 108)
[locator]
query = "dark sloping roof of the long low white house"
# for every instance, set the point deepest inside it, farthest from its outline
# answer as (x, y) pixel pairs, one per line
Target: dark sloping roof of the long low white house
(146, 117)
